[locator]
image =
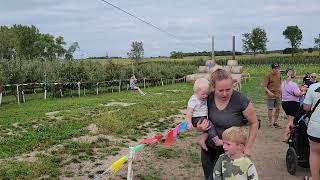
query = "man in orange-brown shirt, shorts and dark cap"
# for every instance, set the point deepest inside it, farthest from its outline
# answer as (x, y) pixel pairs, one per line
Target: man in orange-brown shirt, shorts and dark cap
(271, 84)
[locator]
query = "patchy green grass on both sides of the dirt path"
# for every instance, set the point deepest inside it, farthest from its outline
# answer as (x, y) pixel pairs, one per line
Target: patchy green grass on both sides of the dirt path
(38, 139)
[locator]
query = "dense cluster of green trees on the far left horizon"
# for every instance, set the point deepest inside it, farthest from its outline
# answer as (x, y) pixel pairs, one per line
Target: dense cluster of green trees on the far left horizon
(26, 42)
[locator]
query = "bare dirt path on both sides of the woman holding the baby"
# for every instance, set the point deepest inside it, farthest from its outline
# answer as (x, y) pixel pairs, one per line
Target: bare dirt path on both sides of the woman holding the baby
(182, 160)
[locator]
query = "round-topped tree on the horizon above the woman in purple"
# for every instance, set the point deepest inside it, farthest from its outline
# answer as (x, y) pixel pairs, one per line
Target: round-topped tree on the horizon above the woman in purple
(294, 35)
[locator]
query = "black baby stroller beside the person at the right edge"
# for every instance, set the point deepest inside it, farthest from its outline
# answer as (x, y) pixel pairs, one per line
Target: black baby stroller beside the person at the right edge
(298, 151)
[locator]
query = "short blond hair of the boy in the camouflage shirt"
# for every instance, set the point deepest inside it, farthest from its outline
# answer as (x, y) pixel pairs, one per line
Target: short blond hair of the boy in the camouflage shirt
(235, 134)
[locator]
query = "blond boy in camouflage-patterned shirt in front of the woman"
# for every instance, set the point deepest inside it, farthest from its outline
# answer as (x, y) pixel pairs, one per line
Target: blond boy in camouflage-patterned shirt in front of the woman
(233, 164)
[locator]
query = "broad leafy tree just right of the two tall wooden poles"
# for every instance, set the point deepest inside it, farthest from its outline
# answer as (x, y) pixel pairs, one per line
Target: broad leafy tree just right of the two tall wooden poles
(255, 41)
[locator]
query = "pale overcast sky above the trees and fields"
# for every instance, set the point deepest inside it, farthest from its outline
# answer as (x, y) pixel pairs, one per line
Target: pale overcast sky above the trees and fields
(100, 28)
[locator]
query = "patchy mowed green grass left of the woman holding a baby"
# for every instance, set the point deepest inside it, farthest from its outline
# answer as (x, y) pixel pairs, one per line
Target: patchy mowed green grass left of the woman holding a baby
(25, 128)
